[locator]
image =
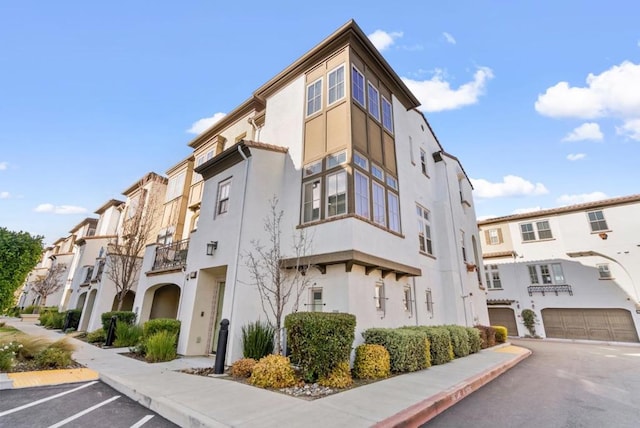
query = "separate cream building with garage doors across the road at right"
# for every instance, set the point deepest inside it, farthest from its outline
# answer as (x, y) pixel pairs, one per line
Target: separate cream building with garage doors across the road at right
(577, 267)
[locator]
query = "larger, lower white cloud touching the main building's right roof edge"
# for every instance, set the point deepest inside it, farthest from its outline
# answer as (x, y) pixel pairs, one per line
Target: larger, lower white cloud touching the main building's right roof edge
(436, 94)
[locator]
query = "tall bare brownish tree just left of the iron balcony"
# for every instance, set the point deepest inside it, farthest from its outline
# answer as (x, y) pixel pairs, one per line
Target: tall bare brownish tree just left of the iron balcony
(125, 250)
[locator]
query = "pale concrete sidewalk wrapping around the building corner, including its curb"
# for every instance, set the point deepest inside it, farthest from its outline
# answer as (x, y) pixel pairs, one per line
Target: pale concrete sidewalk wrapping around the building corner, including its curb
(197, 401)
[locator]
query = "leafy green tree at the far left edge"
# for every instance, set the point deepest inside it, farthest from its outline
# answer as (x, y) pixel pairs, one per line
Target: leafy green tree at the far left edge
(19, 254)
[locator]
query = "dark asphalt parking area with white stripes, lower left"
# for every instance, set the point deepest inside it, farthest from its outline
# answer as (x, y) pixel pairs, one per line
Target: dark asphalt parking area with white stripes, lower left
(89, 404)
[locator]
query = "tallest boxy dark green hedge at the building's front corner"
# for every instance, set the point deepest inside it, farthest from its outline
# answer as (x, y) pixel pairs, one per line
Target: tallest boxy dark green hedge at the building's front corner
(319, 341)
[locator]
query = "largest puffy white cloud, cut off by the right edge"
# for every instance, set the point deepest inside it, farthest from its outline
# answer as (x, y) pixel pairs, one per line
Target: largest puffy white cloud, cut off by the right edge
(613, 93)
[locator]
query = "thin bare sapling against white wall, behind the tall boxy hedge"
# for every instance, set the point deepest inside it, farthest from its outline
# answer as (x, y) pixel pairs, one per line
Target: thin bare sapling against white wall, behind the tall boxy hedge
(276, 285)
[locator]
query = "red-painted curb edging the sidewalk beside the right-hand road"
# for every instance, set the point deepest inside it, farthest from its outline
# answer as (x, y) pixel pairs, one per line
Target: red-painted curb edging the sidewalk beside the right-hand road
(428, 409)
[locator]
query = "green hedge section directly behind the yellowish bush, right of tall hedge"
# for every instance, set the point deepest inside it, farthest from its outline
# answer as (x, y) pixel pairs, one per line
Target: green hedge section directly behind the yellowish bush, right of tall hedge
(408, 348)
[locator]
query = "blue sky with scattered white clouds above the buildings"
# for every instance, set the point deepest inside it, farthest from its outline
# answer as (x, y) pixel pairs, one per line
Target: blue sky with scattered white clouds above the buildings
(539, 100)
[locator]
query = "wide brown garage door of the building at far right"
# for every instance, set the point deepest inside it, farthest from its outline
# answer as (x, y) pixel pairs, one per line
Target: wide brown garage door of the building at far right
(590, 324)
